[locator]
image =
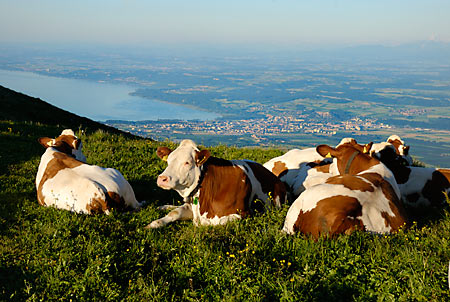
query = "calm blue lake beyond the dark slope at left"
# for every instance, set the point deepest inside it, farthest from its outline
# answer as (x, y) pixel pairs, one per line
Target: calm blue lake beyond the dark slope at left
(97, 101)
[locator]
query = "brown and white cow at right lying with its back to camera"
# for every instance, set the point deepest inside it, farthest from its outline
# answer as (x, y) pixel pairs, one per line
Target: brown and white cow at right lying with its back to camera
(364, 196)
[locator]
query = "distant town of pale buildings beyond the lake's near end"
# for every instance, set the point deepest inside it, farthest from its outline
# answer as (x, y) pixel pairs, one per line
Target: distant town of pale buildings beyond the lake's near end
(258, 129)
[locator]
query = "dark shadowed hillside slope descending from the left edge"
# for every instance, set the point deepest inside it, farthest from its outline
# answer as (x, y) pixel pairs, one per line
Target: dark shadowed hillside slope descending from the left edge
(23, 119)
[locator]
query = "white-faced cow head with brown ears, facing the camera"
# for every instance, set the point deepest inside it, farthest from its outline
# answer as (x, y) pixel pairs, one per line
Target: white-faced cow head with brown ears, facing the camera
(184, 167)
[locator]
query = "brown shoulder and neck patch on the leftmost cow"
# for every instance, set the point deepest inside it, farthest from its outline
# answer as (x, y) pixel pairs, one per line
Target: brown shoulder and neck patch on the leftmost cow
(59, 162)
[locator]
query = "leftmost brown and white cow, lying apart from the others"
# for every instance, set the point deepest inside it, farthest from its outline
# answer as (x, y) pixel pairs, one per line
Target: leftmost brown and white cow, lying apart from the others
(65, 181)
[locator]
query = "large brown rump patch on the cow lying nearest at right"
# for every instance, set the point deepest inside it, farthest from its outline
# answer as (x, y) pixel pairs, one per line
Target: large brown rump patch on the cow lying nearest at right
(331, 216)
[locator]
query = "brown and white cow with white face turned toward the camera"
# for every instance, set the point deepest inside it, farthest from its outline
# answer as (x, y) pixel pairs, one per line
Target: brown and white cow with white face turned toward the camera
(215, 190)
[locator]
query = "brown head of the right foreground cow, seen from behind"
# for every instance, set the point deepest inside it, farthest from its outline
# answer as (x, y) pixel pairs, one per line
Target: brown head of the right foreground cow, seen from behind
(347, 158)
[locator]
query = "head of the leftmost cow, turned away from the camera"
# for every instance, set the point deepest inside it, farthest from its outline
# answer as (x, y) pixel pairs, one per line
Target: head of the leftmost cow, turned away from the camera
(66, 143)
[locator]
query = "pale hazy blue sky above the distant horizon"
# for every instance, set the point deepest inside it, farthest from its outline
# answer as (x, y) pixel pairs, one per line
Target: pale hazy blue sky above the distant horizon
(287, 22)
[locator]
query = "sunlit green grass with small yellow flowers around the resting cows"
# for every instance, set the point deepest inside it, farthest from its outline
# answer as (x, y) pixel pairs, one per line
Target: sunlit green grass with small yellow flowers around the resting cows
(48, 254)
